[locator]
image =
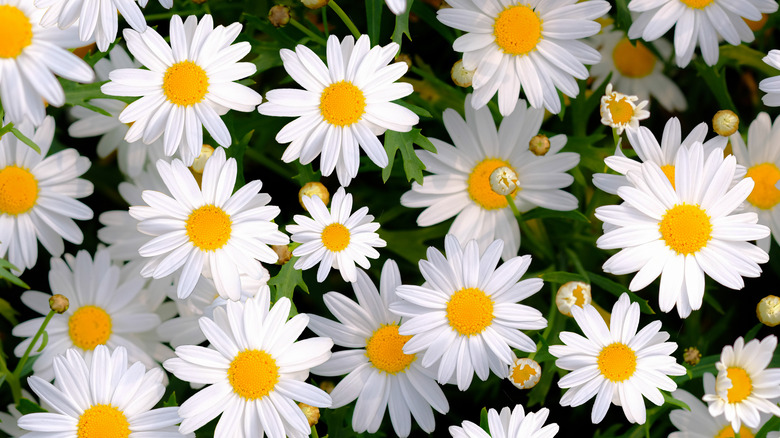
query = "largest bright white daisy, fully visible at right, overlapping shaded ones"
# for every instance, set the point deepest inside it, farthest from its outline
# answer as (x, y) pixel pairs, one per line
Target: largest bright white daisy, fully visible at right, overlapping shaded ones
(683, 231)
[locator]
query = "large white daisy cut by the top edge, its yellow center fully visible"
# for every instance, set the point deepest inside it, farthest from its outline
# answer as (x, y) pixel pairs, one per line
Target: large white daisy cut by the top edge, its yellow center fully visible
(514, 45)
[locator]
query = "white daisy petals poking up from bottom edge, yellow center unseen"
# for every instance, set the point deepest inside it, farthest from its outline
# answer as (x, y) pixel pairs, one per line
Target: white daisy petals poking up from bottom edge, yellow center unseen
(509, 424)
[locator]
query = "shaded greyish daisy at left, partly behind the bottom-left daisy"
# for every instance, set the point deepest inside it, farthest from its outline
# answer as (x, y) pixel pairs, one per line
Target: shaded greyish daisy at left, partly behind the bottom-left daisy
(103, 311)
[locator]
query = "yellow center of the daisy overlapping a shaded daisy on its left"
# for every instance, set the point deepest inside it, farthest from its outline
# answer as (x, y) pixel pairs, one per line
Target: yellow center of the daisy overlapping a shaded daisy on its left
(470, 311)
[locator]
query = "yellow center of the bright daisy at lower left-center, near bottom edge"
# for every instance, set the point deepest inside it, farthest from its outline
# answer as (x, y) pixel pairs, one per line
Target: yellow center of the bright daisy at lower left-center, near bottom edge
(253, 374)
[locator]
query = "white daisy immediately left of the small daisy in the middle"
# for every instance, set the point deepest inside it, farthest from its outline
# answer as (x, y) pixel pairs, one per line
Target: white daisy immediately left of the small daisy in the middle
(207, 230)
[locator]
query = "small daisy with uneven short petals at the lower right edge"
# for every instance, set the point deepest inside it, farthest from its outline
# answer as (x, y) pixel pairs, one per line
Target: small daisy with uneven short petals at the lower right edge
(744, 386)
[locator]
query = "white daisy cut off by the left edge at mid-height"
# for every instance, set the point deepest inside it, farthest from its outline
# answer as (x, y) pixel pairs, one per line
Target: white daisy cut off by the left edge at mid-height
(38, 195)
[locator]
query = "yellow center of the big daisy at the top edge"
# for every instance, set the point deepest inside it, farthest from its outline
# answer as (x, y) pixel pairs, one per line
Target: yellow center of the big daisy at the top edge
(518, 29)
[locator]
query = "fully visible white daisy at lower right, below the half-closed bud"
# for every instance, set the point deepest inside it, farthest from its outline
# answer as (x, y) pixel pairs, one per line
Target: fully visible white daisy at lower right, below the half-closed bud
(616, 364)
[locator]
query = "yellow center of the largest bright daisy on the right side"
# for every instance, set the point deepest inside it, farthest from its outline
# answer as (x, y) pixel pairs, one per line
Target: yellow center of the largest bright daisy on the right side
(685, 228)
